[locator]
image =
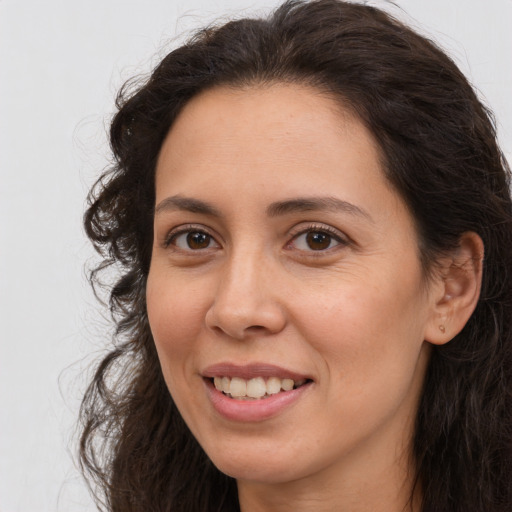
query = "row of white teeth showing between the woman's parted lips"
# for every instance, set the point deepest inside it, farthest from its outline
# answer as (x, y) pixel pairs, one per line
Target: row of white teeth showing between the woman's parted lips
(256, 388)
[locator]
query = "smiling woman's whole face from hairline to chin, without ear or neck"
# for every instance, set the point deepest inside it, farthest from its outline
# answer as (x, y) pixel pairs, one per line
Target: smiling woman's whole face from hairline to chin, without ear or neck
(283, 258)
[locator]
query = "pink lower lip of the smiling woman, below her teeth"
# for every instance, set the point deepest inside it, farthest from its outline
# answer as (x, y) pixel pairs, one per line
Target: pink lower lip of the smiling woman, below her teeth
(253, 410)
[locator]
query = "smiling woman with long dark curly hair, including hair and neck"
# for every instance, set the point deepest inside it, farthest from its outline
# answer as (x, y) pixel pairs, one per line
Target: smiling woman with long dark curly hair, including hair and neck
(313, 224)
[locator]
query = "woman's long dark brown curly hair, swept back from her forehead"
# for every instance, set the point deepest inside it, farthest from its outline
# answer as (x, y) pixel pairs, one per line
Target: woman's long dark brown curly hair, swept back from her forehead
(439, 150)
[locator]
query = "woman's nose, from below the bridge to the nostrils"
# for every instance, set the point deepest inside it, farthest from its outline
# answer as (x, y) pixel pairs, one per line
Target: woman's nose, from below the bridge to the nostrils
(246, 302)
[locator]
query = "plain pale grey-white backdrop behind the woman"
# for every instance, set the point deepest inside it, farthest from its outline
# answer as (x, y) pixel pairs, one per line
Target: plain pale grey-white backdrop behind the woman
(61, 63)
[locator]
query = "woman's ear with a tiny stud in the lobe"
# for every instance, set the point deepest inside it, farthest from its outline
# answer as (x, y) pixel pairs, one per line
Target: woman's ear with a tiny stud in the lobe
(456, 289)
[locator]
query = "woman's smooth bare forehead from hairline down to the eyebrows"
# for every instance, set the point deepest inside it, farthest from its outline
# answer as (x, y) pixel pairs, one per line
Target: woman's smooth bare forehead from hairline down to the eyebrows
(273, 140)
